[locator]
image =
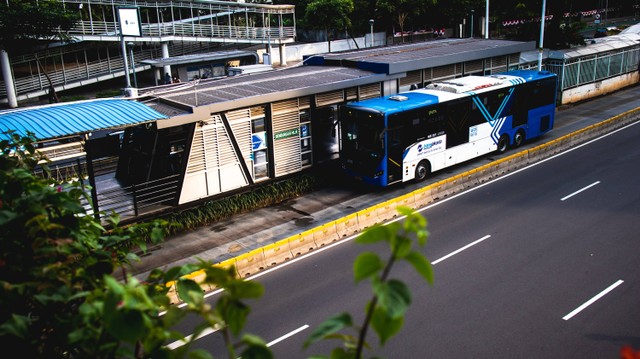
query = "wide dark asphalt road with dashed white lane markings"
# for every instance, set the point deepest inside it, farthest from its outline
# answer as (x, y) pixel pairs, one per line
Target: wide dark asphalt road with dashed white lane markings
(538, 264)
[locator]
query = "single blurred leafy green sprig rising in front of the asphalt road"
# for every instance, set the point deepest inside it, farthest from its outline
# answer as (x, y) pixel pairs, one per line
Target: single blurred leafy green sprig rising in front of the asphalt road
(391, 297)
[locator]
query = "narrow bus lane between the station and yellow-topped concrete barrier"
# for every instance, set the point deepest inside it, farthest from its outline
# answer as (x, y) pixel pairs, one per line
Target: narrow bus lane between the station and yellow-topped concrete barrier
(230, 238)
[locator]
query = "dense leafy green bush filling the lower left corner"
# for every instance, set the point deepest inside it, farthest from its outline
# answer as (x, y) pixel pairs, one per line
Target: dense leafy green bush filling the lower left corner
(58, 297)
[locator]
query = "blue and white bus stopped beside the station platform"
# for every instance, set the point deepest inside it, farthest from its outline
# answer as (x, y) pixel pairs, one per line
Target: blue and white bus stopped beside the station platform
(407, 136)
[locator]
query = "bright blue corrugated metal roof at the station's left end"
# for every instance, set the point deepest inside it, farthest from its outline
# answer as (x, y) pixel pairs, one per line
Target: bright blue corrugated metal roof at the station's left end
(66, 119)
